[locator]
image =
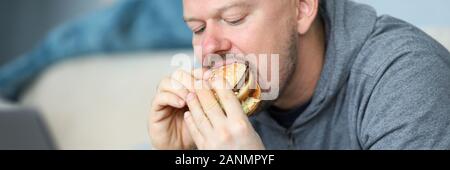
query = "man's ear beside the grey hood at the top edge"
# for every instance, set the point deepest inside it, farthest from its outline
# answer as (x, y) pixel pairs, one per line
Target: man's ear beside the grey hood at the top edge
(306, 14)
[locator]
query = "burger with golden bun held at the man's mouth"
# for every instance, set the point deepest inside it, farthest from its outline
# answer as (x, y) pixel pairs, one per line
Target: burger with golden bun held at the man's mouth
(244, 85)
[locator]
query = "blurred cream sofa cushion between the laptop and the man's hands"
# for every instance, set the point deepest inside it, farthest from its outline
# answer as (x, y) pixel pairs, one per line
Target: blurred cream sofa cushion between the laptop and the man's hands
(100, 102)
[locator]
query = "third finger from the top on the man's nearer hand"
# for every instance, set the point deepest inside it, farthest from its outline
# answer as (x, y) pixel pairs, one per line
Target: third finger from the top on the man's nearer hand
(199, 116)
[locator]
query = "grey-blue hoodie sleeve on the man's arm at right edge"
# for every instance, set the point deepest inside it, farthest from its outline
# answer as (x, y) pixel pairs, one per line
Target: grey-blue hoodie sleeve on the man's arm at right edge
(410, 105)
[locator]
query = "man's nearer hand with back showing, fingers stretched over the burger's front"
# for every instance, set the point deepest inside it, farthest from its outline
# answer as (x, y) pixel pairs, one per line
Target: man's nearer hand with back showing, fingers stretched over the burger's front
(213, 127)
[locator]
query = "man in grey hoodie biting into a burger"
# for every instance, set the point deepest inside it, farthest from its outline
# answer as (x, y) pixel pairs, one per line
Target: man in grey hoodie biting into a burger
(349, 80)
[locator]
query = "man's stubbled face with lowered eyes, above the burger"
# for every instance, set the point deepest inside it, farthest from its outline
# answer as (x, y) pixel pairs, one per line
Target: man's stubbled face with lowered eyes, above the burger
(245, 27)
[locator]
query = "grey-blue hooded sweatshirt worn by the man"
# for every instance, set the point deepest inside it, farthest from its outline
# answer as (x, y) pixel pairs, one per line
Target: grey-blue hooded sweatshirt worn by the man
(385, 85)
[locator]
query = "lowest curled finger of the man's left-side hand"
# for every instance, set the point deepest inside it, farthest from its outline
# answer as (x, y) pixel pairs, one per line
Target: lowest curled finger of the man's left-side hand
(165, 99)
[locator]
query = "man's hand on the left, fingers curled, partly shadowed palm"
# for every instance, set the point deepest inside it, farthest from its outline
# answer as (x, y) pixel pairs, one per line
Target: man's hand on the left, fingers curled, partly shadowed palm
(167, 126)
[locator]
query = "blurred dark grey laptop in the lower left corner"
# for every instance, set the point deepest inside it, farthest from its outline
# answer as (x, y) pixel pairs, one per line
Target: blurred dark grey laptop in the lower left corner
(24, 129)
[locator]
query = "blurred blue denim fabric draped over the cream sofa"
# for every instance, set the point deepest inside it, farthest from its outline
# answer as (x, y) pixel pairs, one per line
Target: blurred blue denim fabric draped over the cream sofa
(130, 25)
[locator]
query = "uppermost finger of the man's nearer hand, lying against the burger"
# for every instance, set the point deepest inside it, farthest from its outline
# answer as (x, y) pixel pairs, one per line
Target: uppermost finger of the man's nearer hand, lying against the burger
(230, 102)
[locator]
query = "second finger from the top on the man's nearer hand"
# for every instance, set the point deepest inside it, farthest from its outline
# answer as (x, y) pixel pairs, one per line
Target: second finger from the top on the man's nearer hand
(210, 106)
